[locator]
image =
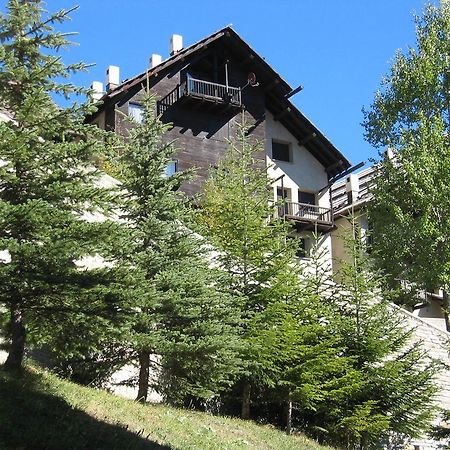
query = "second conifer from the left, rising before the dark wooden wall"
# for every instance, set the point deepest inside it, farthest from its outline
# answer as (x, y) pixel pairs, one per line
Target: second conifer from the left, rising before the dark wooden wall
(181, 317)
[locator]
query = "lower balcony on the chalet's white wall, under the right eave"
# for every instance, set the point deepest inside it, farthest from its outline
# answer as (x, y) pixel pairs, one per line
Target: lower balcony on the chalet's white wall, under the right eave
(306, 216)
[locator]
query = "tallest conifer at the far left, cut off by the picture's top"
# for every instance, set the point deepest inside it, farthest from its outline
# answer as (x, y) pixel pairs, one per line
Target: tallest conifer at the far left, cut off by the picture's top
(48, 187)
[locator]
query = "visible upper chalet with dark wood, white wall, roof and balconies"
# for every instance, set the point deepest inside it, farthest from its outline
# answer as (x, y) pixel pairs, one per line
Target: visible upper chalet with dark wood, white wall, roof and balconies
(203, 90)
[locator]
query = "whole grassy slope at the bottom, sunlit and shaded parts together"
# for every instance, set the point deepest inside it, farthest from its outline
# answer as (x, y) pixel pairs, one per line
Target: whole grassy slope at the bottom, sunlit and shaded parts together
(41, 411)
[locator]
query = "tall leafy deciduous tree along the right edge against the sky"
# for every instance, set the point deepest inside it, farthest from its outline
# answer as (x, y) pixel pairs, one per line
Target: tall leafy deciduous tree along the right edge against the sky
(410, 115)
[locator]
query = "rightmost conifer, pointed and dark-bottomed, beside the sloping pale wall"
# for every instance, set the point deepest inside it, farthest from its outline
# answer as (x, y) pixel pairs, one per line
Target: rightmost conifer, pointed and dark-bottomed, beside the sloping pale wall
(390, 386)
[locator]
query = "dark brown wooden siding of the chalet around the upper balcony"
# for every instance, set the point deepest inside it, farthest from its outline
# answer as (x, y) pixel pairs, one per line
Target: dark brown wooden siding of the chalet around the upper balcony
(201, 129)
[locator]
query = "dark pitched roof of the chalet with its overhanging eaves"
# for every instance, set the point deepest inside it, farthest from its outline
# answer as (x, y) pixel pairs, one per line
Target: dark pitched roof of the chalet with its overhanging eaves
(275, 88)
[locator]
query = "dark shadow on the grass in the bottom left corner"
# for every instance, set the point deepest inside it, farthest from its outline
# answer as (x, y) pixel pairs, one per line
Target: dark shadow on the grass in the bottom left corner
(33, 419)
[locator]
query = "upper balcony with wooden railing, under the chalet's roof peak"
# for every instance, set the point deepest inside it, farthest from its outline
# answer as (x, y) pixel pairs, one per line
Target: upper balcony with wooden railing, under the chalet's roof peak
(204, 91)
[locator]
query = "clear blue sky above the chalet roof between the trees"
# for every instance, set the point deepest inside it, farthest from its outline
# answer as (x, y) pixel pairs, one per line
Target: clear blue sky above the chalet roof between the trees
(337, 49)
